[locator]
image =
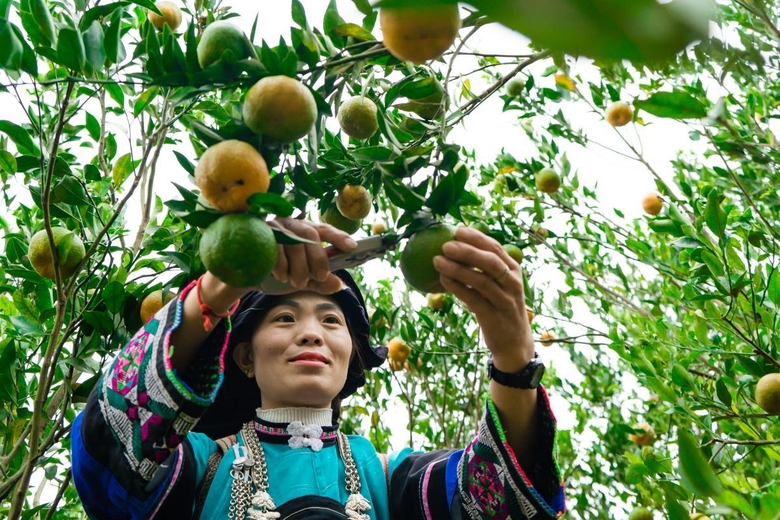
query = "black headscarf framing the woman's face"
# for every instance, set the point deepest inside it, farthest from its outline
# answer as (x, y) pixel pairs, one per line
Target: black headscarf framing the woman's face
(239, 396)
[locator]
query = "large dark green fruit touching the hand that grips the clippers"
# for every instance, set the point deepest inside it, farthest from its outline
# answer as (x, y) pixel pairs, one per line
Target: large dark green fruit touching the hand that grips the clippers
(239, 249)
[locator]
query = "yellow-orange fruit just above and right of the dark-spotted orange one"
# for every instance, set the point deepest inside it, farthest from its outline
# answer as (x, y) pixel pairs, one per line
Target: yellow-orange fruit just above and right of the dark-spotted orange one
(281, 108)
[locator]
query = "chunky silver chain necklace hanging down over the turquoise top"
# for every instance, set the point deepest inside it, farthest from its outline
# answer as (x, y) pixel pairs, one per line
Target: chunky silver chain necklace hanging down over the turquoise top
(249, 468)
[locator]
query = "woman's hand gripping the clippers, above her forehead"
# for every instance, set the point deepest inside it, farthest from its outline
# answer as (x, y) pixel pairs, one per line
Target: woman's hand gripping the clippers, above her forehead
(305, 266)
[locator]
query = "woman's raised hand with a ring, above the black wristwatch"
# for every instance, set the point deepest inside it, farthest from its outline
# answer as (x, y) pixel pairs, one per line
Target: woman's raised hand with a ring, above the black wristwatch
(476, 269)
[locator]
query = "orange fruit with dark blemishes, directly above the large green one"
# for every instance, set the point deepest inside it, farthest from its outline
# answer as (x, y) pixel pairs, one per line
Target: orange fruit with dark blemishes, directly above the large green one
(228, 173)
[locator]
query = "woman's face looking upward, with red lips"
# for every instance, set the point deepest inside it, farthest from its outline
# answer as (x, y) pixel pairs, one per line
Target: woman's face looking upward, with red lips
(301, 351)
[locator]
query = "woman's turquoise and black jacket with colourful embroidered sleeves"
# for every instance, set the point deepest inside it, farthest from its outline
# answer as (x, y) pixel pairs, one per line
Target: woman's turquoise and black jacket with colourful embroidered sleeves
(134, 456)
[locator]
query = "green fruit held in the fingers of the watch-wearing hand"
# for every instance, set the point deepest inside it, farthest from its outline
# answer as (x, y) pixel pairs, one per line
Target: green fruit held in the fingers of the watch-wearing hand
(417, 257)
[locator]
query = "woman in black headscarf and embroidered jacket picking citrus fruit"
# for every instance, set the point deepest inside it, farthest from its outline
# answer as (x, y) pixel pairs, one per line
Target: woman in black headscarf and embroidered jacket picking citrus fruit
(267, 385)
